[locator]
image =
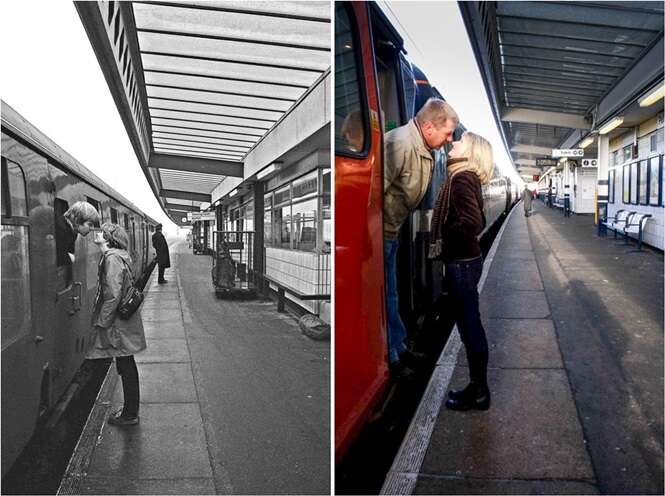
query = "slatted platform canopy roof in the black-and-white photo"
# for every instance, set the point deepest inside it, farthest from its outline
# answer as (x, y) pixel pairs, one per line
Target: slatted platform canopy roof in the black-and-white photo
(198, 84)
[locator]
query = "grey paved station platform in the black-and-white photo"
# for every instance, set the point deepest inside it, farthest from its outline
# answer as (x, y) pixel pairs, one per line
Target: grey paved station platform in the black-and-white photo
(221, 409)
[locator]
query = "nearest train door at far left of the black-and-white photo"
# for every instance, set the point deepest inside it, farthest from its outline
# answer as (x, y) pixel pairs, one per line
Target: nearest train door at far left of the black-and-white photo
(21, 364)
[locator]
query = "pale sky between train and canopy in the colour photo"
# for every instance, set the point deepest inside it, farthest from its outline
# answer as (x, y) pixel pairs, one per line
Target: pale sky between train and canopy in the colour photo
(436, 41)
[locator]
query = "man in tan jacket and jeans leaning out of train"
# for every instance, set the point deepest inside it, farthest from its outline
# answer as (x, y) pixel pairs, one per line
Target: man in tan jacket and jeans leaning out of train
(407, 173)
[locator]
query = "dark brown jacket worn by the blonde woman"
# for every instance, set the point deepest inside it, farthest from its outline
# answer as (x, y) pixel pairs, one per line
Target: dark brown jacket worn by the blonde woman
(465, 220)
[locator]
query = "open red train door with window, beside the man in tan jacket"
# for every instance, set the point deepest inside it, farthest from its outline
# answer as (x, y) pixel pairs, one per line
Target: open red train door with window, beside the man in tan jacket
(360, 333)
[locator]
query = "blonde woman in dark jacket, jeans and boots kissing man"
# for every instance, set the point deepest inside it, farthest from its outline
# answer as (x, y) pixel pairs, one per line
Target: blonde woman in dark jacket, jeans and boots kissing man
(457, 222)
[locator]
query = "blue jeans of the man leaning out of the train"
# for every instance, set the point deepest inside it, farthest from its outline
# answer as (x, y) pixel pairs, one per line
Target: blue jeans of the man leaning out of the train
(396, 329)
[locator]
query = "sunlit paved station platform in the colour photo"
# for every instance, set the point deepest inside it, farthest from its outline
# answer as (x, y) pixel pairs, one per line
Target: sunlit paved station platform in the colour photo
(575, 327)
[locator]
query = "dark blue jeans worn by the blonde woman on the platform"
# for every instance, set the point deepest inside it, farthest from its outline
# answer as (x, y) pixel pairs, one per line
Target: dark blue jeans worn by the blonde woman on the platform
(462, 279)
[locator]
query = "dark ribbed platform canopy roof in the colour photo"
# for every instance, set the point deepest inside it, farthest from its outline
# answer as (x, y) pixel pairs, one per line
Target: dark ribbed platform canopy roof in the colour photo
(548, 66)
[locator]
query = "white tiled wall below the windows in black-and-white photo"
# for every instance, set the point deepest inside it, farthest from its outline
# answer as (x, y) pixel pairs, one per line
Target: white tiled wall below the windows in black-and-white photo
(308, 272)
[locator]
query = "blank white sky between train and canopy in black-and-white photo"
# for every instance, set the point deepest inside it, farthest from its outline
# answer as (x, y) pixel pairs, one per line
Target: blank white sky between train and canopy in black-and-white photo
(51, 76)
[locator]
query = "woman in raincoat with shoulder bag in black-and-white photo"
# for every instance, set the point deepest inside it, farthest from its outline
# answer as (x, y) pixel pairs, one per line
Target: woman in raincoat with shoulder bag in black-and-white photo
(115, 337)
